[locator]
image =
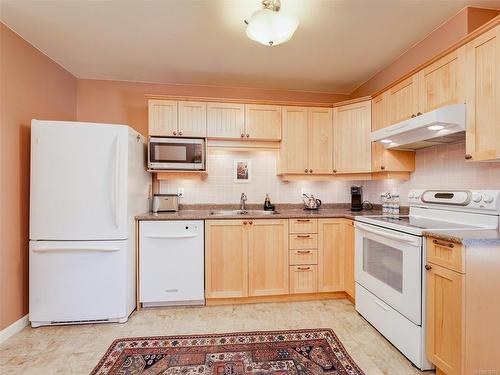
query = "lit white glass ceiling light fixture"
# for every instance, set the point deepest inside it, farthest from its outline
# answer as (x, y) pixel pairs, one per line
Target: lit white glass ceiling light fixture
(269, 26)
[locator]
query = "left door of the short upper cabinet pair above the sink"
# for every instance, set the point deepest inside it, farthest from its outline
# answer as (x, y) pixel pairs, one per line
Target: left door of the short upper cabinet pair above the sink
(225, 120)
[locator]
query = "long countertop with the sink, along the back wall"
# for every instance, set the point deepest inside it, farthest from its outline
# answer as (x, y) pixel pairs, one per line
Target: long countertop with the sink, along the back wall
(284, 211)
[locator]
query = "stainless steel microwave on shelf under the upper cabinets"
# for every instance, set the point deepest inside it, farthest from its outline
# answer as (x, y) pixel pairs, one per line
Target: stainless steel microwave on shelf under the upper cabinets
(176, 153)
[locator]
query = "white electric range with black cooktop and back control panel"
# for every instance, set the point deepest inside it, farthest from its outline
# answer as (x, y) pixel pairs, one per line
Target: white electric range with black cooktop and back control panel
(390, 254)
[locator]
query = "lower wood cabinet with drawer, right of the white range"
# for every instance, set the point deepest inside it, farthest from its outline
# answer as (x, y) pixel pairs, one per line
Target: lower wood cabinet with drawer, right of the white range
(463, 334)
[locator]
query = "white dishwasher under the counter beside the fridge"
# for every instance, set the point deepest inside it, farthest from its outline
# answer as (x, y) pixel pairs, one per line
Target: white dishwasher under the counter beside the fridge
(171, 263)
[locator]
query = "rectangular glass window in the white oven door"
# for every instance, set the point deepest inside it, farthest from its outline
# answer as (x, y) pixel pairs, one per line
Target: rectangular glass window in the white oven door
(383, 262)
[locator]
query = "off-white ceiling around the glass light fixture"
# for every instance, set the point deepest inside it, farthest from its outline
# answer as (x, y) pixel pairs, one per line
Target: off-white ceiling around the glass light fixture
(338, 45)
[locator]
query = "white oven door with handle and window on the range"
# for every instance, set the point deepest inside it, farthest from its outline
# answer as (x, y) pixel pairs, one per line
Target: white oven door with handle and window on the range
(389, 264)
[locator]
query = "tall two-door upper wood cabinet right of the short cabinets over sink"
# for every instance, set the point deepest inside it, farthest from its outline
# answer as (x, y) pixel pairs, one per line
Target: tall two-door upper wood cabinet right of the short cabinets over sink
(306, 145)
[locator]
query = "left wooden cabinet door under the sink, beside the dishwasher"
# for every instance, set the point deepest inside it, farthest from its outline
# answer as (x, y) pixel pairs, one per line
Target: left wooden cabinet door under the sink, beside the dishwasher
(226, 259)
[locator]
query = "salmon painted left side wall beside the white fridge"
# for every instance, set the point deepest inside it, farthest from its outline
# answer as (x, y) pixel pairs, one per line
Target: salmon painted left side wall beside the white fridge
(31, 86)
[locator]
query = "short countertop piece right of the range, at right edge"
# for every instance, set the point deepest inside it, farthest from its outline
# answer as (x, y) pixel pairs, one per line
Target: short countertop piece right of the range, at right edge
(468, 237)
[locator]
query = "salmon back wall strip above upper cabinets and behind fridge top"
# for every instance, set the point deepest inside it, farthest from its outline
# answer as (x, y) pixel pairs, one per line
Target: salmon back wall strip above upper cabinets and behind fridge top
(124, 102)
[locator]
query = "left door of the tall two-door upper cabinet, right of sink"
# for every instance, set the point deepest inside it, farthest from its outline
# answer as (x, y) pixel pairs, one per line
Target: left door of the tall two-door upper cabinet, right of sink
(294, 145)
